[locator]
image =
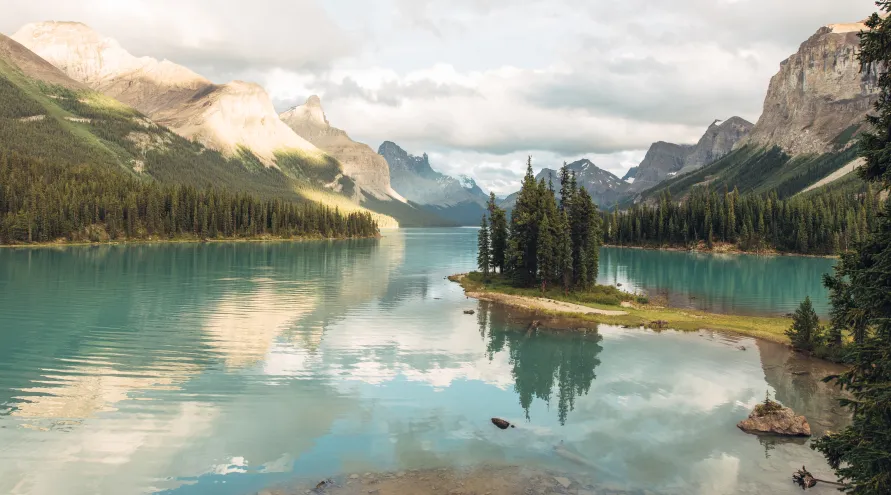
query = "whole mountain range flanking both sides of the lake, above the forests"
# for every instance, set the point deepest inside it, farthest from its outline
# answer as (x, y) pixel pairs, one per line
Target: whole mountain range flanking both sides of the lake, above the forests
(74, 95)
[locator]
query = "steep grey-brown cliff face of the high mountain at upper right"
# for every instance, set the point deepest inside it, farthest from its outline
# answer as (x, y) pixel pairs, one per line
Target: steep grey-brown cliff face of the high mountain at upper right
(817, 101)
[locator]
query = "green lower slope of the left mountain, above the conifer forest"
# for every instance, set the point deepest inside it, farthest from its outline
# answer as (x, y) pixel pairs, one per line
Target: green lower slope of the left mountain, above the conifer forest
(46, 115)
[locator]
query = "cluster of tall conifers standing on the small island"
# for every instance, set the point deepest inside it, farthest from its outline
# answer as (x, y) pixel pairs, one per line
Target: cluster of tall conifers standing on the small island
(546, 242)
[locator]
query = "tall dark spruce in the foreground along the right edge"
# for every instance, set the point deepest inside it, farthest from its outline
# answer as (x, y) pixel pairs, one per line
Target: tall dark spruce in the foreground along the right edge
(861, 453)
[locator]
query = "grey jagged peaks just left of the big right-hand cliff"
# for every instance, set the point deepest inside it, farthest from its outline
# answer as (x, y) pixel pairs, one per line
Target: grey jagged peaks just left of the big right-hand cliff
(665, 160)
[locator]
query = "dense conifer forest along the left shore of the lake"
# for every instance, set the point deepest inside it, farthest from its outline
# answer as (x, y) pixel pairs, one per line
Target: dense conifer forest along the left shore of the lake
(41, 201)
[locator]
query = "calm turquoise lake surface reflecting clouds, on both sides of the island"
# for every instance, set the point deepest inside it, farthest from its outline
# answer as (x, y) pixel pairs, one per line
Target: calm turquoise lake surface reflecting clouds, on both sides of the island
(227, 368)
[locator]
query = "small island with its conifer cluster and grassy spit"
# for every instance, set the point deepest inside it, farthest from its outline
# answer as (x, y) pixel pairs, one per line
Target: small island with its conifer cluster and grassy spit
(546, 260)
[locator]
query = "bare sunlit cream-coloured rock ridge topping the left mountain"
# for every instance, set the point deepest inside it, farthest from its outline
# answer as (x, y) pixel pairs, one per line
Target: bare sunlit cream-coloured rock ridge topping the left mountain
(224, 117)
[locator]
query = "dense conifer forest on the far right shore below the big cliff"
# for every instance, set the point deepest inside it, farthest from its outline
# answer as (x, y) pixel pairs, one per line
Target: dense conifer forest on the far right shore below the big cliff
(826, 222)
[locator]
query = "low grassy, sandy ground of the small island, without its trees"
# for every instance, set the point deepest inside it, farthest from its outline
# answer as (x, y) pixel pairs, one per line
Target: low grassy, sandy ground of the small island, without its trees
(638, 313)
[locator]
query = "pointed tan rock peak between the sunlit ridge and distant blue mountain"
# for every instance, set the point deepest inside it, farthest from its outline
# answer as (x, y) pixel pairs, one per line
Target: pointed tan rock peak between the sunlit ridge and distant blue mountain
(368, 169)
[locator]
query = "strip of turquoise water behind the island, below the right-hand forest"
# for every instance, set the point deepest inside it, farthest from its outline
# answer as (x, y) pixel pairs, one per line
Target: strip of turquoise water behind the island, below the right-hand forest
(728, 283)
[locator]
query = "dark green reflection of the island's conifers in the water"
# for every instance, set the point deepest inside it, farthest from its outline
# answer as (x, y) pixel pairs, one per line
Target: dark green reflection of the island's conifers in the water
(542, 361)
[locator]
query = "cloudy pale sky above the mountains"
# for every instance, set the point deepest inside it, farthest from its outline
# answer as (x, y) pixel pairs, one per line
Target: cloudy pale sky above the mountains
(480, 85)
